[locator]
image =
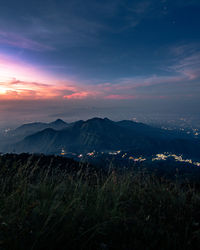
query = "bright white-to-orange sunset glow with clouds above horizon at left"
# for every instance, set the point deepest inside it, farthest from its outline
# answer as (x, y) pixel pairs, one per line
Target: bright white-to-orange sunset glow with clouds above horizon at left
(21, 81)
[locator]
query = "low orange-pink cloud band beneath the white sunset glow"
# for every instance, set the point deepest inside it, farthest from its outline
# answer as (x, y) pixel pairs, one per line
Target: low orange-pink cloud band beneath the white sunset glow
(24, 90)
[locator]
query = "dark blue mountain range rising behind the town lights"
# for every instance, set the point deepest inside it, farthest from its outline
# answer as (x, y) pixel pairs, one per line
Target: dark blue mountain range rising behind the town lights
(101, 135)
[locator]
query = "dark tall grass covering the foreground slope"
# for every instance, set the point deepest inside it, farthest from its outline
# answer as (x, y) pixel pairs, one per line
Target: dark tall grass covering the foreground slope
(41, 208)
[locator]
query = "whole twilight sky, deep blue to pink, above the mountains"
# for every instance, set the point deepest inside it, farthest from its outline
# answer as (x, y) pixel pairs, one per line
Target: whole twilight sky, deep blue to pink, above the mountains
(77, 59)
